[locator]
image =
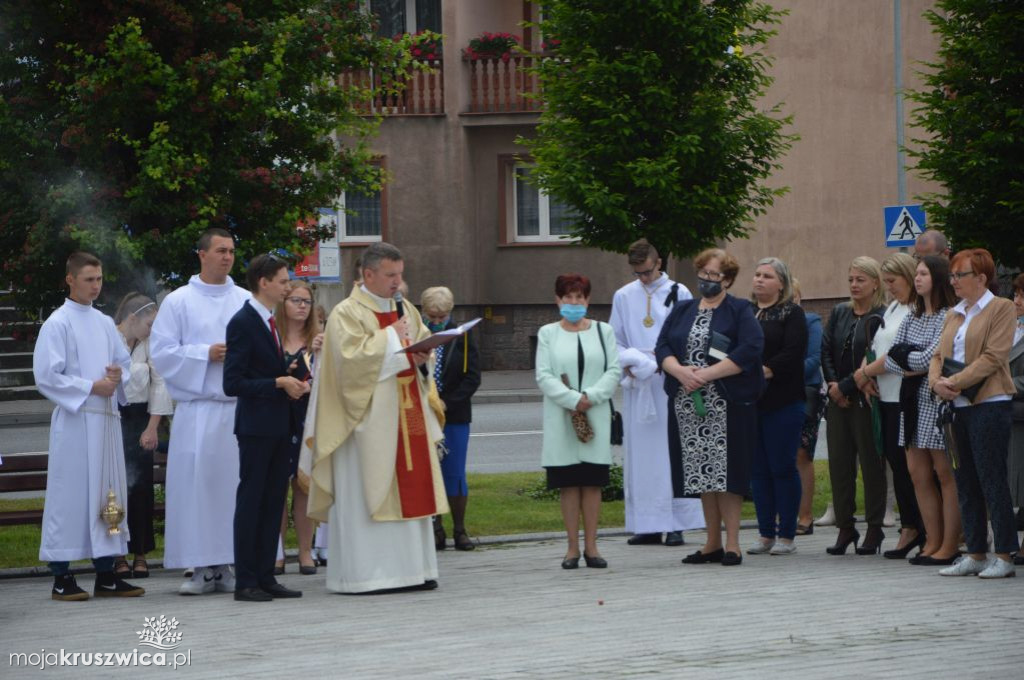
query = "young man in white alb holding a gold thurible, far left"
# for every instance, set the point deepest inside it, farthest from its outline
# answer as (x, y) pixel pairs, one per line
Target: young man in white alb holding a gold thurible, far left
(79, 364)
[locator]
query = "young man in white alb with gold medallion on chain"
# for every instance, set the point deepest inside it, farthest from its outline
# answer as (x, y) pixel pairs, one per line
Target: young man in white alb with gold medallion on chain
(638, 311)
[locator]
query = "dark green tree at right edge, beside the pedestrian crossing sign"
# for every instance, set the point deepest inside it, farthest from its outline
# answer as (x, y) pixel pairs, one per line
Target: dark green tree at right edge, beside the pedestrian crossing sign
(972, 108)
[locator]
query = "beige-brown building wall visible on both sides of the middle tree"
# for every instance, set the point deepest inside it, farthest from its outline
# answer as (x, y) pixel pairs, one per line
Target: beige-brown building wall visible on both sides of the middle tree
(835, 71)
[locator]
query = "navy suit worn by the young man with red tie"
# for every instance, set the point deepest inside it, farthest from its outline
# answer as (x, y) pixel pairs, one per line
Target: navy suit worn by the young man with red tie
(264, 429)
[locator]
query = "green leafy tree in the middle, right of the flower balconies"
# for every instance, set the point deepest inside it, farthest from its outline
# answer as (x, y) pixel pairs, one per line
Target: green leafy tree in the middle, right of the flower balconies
(653, 122)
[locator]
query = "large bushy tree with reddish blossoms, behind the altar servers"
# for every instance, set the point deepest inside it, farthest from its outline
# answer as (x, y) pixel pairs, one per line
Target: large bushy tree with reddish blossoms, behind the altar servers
(127, 127)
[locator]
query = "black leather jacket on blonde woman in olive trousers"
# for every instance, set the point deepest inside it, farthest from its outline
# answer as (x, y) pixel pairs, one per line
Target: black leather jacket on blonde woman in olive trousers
(846, 341)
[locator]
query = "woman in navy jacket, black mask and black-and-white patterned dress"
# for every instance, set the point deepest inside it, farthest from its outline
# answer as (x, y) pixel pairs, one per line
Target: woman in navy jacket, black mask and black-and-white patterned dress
(711, 351)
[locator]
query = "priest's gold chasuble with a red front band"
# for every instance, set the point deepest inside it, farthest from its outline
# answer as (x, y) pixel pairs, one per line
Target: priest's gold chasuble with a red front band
(374, 404)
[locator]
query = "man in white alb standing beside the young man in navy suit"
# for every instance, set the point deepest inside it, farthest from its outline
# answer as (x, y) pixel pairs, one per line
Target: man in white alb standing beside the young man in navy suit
(188, 350)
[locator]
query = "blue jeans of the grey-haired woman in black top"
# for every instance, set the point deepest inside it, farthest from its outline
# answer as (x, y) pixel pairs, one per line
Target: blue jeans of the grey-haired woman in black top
(775, 480)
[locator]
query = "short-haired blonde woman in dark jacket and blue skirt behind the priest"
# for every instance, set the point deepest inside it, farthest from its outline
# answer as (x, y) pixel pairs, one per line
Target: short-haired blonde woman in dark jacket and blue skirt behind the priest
(457, 373)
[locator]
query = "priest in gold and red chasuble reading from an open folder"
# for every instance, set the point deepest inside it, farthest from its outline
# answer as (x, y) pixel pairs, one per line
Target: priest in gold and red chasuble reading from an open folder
(375, 478)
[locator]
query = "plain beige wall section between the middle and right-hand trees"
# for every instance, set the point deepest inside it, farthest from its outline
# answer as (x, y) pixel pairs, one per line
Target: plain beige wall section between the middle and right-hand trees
(835, 71)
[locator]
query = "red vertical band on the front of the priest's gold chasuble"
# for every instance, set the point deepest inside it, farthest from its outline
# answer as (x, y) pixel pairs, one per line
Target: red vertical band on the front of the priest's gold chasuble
(413, 472)
